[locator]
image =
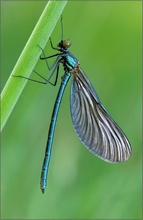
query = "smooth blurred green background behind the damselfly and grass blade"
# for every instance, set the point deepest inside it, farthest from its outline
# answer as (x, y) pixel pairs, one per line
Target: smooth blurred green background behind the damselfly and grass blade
(106, 38)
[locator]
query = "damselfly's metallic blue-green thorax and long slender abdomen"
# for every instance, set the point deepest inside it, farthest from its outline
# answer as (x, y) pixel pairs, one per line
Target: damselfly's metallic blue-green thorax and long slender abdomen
(69, 62)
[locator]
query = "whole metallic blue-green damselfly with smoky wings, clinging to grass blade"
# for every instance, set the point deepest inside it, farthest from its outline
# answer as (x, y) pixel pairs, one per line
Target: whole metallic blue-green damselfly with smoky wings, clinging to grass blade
(94, 126)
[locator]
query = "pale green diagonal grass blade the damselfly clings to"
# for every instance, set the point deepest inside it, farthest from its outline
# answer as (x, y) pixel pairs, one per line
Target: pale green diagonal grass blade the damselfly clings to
(29, 57)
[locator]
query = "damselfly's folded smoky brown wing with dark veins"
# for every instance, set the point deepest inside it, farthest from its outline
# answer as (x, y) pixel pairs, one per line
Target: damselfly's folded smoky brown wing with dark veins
(94, 126)
